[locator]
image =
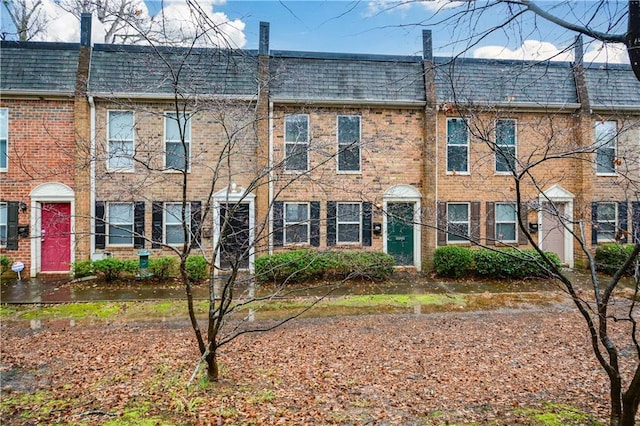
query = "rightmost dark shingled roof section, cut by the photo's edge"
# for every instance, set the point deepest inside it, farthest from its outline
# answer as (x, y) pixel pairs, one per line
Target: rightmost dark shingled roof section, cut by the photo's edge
(612, 86)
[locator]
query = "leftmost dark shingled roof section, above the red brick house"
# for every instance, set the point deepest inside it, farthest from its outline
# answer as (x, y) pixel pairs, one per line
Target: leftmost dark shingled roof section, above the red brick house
(38, 67)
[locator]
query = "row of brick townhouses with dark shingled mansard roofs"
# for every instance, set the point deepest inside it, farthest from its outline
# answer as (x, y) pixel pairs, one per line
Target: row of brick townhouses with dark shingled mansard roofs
(335, 151)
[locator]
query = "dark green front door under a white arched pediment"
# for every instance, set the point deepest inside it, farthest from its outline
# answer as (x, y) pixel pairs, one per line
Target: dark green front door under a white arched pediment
(400, 232)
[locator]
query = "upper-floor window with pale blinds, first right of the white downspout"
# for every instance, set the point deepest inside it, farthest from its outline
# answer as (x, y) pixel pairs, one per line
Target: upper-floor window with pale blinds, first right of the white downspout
(120, 140)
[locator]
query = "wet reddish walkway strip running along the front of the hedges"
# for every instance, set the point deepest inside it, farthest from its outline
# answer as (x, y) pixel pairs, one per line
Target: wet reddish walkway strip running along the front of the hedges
(61, 290)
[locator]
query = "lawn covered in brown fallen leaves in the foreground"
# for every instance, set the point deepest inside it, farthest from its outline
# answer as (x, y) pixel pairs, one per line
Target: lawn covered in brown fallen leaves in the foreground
(502, 367)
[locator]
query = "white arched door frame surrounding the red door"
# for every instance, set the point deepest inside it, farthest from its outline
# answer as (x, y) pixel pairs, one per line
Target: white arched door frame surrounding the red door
(51, 192)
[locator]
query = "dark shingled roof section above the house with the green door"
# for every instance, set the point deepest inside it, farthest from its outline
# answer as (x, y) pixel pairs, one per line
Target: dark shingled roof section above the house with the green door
(309, 76)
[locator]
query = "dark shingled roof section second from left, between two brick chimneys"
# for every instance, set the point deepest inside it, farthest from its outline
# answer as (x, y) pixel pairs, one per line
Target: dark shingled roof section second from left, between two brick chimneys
(145, 70)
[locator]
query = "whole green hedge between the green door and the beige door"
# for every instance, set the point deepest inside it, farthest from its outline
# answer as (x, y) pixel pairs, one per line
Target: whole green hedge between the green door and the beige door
(457, 262)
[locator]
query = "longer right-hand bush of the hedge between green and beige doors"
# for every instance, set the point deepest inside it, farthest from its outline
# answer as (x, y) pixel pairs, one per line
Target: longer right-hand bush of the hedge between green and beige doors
(511, 263)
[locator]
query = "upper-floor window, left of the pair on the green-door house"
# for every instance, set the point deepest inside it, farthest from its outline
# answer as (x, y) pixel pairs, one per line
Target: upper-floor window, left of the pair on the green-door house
(296, 142)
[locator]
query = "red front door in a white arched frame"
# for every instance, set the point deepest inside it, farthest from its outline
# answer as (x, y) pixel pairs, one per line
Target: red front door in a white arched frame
(55, 249)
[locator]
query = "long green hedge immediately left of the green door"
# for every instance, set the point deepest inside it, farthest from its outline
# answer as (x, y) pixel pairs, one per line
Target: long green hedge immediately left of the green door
(301, 265)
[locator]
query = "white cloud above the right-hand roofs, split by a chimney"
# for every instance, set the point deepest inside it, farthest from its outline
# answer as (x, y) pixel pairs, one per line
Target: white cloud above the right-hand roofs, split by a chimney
(541, 50)
